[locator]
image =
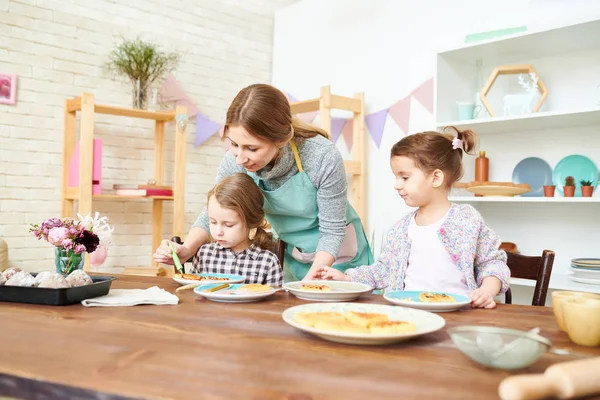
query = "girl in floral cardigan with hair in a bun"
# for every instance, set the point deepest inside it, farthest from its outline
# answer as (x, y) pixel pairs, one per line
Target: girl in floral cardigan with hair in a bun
(441, 246)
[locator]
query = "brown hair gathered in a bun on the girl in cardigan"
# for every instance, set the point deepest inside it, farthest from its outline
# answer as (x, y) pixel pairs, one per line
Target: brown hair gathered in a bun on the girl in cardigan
(433, 150)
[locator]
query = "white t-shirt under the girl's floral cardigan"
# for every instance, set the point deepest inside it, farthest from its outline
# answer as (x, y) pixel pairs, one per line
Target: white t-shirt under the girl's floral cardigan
(430, 267)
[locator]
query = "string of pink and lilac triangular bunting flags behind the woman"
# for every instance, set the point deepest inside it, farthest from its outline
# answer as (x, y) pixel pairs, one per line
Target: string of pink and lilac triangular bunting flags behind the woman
(171, 92)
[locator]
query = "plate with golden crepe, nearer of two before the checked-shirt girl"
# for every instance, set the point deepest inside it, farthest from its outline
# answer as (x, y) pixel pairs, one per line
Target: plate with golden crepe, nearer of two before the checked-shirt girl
(236, 293)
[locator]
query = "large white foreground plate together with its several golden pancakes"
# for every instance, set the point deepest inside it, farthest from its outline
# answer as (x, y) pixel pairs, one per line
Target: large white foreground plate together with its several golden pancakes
(362, 323)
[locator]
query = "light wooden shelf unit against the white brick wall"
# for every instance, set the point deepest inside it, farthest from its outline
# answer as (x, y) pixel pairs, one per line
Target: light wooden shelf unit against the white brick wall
(87, 107)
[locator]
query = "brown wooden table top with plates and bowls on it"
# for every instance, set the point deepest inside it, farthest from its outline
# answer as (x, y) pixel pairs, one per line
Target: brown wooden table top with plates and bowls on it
(205, 350)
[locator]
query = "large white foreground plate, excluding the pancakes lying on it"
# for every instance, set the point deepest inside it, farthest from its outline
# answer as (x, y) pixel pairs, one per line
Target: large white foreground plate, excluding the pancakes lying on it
(425, 321)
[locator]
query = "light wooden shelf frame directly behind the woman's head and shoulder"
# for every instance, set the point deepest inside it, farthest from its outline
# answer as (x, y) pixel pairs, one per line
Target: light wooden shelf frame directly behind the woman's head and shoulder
(355, 167)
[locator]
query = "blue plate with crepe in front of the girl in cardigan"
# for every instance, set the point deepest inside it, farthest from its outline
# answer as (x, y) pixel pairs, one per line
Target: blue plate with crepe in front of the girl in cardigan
(429, 301)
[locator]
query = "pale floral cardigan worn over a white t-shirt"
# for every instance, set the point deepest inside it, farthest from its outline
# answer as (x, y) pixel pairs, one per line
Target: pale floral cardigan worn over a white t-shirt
(472, 245)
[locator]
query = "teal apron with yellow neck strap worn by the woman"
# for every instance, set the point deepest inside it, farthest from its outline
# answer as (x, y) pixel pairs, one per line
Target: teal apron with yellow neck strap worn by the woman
(292, 211)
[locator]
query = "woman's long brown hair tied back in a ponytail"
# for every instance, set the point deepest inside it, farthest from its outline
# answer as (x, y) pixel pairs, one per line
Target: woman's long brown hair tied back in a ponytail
(264, 111)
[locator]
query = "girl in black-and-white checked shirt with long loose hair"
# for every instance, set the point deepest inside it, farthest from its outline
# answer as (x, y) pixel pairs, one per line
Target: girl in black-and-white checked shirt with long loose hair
(241, 245)
